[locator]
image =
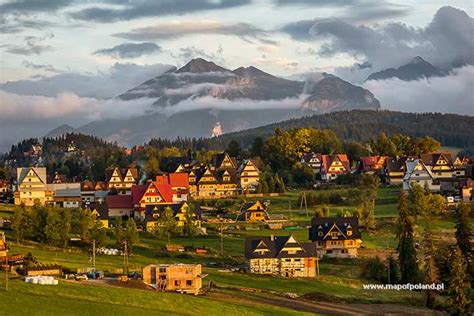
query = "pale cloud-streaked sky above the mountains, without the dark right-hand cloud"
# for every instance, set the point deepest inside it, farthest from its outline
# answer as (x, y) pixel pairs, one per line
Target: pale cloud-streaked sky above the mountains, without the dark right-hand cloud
(283, 37)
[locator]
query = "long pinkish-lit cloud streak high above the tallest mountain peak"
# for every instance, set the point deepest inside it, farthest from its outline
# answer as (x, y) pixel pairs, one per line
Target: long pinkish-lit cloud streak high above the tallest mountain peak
(176, 29)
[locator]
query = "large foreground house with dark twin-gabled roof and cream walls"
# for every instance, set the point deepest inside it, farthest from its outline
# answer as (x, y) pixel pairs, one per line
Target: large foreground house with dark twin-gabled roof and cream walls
(281, 255)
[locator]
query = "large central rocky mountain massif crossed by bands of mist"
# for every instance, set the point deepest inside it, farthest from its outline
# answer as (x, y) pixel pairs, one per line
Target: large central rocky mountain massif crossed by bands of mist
(201, 98)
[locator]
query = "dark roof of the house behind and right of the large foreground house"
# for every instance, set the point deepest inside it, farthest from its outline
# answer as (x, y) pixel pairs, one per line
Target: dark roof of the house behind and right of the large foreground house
(324, 225)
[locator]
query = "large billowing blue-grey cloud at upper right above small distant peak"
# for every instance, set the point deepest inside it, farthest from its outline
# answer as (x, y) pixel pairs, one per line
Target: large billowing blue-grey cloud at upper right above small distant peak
(446, 40)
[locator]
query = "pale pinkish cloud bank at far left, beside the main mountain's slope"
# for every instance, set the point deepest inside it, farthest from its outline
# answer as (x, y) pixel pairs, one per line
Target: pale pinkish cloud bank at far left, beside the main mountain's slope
(37, 115)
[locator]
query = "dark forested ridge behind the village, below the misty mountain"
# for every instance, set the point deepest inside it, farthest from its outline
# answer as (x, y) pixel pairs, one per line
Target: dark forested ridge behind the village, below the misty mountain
(449, 129)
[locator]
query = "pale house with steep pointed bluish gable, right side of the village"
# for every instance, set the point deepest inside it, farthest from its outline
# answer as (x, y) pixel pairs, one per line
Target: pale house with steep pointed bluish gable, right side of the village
(418, 172)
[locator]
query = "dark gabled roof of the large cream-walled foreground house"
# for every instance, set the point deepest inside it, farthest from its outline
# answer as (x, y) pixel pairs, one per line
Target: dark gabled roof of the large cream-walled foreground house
(275, 245)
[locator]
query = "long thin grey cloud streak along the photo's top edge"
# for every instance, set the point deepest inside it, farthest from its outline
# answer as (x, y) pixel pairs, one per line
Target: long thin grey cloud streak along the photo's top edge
(153, 8)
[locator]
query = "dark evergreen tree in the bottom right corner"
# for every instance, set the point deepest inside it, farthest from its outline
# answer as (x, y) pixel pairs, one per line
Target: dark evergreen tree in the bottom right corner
(458, 289)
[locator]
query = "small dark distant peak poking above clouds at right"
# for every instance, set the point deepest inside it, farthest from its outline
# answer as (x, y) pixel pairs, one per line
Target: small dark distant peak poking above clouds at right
(416, 69)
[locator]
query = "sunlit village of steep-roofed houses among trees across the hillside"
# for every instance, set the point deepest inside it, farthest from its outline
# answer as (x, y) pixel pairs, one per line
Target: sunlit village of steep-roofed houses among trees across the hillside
(221, 194)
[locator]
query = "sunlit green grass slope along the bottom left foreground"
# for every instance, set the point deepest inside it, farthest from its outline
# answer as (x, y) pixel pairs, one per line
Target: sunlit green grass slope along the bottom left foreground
(80, 299)
